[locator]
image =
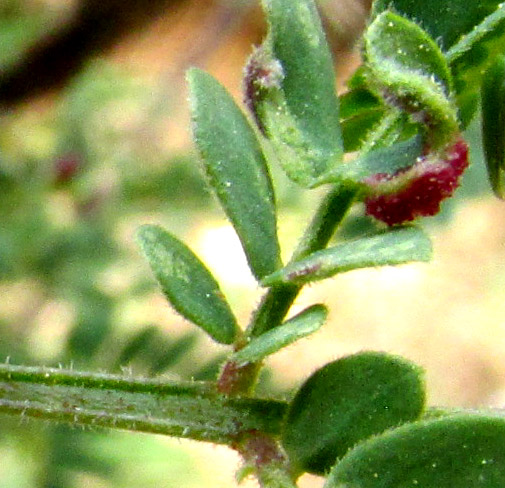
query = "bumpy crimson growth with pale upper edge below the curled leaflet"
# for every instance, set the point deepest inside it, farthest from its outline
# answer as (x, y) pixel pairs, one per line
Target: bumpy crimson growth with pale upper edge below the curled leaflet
(418, 190)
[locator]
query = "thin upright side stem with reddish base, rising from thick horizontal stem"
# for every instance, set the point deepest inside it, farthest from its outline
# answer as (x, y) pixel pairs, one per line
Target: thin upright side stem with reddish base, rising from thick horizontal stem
(278, 300)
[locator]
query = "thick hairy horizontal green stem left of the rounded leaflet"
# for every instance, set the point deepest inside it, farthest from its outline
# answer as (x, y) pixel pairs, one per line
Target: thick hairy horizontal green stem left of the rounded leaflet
(191, 410)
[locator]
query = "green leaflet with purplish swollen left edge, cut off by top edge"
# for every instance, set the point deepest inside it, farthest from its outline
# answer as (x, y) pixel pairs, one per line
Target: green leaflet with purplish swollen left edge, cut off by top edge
(298, 111)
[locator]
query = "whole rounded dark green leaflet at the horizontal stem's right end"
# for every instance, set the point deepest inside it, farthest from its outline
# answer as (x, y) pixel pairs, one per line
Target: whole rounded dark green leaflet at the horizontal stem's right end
(347, 401)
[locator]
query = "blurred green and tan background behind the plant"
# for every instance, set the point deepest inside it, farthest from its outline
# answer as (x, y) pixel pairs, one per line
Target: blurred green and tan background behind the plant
(95, 140)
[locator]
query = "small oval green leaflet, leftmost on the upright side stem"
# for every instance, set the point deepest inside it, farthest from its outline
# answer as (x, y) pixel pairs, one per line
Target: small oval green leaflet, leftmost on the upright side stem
(187, 284)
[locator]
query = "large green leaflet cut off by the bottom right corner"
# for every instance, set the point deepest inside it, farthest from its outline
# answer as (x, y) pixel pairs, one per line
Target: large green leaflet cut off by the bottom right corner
(463, 450)
